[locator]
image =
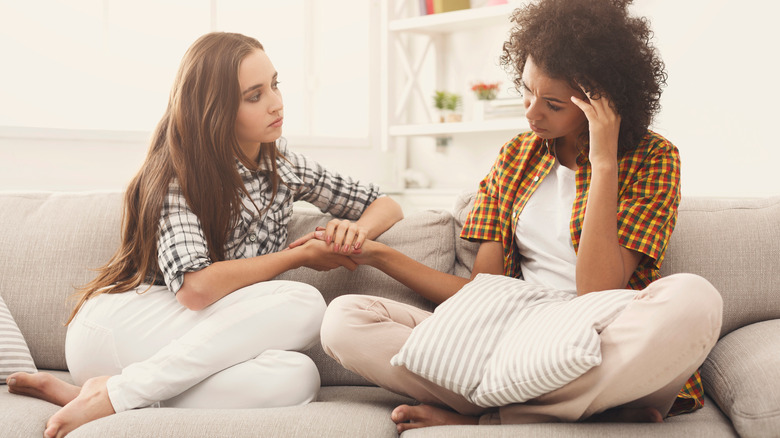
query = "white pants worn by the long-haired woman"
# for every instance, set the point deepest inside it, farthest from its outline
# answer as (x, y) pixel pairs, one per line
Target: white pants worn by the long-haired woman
(240, 352)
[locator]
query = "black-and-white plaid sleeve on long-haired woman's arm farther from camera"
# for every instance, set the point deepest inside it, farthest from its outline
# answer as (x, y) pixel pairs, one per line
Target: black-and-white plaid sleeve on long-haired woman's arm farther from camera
(330, 192)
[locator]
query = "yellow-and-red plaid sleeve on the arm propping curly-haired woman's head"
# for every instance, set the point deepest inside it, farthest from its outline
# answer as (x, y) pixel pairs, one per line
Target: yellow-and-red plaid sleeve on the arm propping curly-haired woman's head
(647, 209)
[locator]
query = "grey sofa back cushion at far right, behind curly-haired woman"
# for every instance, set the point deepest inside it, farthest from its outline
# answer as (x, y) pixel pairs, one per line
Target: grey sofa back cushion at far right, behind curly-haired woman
(735, 244)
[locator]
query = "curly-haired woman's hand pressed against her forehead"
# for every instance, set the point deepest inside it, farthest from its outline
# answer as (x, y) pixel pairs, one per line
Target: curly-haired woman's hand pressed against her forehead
(604, 126)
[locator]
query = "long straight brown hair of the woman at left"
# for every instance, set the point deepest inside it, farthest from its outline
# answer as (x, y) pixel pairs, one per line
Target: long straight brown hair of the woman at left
(194, 144)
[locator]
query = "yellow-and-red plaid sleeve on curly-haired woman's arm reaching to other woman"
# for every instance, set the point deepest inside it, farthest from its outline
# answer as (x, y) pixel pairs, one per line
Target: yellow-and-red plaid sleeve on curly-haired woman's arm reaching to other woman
(484, 220)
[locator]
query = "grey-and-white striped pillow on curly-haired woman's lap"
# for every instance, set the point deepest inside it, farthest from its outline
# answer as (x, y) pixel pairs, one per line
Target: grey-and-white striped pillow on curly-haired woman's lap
(501, 340)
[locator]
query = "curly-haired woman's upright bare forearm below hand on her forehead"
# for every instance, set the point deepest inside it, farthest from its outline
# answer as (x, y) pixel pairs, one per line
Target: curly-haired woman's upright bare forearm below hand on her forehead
(599, 257)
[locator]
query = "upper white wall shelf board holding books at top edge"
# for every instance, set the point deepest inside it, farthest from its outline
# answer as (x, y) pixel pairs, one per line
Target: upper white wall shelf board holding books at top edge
(447, 22)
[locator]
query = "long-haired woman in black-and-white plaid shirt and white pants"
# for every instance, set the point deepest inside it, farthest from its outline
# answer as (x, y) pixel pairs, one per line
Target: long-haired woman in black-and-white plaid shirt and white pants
(186, 313)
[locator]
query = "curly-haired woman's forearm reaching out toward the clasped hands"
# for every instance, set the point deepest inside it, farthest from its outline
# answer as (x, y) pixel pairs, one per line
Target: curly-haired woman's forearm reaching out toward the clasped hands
(433, 285)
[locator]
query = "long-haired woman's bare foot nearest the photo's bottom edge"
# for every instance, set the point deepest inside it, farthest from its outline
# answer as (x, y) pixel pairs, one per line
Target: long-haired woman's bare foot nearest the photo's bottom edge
(92, 403)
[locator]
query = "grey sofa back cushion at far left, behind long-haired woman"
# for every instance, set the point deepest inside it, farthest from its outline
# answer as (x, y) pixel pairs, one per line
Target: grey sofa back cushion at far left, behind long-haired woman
(49, 244)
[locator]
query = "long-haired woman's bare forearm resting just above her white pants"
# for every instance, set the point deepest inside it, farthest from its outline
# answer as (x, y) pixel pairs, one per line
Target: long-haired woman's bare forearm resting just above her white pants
(208, 285)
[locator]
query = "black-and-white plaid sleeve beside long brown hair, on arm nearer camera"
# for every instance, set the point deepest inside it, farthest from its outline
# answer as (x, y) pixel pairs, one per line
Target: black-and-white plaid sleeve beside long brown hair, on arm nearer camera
(182, 245)
